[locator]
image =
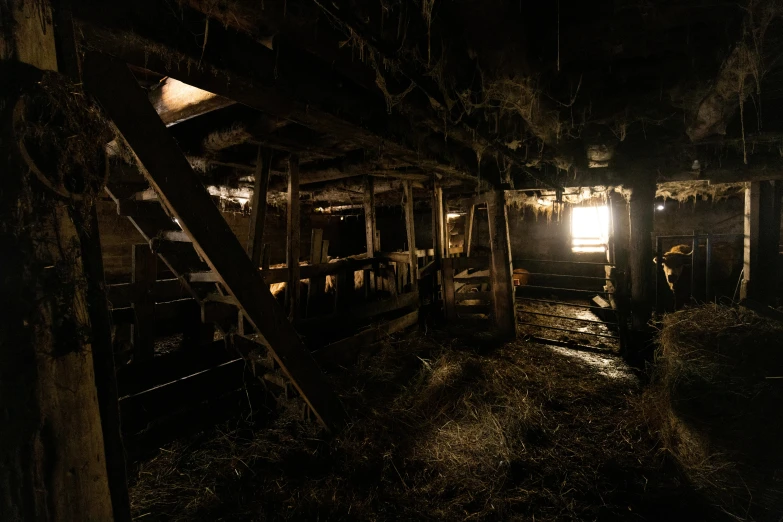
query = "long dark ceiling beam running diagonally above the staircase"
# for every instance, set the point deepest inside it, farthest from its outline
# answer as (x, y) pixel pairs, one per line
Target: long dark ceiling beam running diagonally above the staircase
(247, 75)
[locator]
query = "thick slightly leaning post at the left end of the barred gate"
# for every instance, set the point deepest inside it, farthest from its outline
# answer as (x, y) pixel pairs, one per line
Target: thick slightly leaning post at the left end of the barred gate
(500, 270)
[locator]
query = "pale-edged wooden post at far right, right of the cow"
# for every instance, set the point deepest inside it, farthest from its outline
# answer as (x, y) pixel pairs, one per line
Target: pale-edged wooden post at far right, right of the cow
(762, 240)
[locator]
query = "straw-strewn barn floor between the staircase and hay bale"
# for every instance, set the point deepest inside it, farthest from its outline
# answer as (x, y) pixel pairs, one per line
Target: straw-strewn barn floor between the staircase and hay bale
(441, 430)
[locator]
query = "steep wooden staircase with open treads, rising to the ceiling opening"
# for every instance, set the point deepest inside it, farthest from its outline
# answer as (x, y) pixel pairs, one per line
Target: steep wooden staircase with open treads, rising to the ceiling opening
(189, 234)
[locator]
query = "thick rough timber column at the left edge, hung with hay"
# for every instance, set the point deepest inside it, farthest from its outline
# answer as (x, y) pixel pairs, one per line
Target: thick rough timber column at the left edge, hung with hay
(52, 464)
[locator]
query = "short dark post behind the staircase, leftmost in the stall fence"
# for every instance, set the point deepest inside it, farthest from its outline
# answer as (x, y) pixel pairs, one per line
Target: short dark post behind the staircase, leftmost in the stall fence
(145, 273)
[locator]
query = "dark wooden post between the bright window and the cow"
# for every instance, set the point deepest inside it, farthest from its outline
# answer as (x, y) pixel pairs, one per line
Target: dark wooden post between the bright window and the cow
(640, 252)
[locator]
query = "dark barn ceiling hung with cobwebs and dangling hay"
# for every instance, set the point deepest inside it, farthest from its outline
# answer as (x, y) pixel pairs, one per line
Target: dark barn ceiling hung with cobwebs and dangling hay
(474, 93)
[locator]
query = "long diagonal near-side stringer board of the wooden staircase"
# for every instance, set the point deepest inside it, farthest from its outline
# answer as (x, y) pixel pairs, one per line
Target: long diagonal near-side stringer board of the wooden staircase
(180, 190)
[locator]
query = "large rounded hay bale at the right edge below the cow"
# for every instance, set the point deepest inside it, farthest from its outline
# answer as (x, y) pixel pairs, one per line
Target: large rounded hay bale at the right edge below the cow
(716, 401)
